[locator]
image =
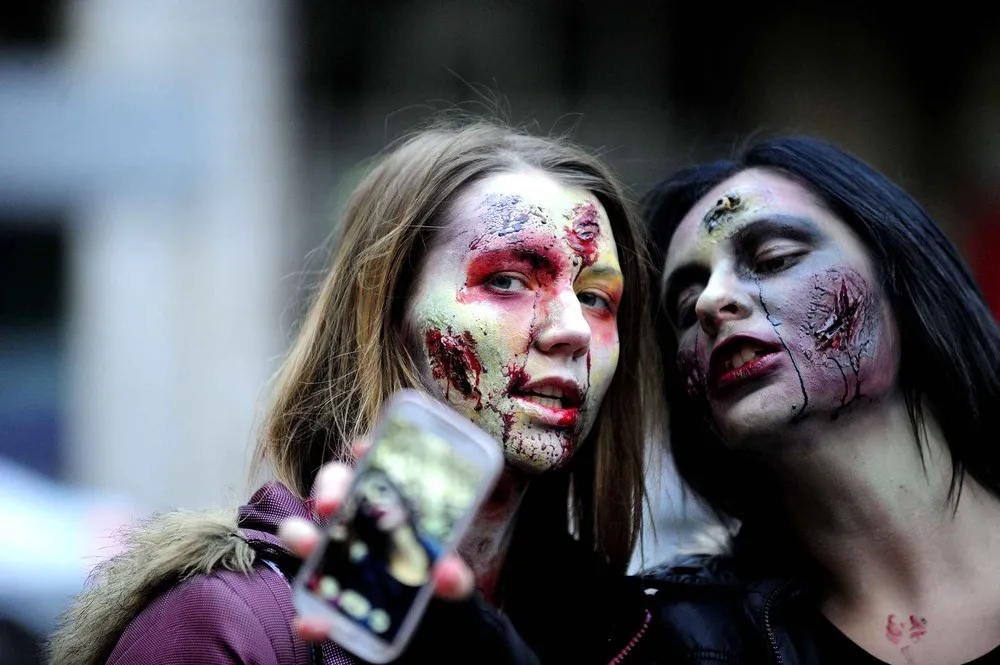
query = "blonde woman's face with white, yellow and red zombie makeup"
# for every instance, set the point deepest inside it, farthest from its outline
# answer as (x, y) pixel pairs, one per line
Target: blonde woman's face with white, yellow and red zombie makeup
(519, 299)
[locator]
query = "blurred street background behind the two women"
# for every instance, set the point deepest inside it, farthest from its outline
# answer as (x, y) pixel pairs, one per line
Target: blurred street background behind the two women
(166, 166)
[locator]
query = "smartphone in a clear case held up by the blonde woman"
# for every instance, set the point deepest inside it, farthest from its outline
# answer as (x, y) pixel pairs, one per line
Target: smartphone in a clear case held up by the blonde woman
(414, 494)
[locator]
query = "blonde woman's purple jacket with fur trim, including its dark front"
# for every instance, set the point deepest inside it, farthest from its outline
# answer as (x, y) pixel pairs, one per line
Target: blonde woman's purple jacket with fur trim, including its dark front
(210, 589)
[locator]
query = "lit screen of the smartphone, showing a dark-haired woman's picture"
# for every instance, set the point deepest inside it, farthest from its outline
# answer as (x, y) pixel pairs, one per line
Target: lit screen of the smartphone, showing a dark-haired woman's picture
(411, 492)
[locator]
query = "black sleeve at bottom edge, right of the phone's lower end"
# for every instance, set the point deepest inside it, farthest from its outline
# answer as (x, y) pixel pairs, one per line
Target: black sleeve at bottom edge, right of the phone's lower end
(466, 632)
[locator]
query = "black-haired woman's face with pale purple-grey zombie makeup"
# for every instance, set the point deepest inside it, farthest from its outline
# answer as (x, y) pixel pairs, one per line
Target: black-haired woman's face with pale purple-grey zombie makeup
(758, 257)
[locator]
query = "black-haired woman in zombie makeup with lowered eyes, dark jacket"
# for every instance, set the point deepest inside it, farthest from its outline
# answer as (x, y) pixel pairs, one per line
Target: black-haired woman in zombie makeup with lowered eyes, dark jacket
(831, 369)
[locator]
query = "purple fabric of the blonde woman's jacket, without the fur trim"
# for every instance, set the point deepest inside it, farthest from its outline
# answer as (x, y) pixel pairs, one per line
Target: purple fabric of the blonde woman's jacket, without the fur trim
(230, 617)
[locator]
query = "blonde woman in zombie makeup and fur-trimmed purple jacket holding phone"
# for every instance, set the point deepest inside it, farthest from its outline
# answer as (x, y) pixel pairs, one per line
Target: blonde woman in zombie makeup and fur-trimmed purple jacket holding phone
(502, 273)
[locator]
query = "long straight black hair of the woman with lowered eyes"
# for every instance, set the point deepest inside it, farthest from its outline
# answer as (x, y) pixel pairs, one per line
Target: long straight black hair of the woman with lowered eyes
(949, 341)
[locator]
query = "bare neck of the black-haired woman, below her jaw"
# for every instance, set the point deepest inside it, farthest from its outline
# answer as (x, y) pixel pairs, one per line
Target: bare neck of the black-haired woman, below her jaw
(880, 518)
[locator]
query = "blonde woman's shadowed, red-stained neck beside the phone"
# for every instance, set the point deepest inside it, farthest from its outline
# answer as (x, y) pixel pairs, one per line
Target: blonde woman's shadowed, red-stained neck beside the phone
(487, 542)
